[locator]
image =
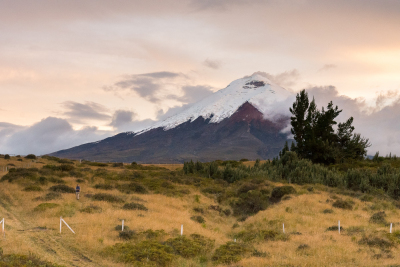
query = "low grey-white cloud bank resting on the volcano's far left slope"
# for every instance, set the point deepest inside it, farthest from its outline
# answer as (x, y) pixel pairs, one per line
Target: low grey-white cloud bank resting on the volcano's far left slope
(48, 135)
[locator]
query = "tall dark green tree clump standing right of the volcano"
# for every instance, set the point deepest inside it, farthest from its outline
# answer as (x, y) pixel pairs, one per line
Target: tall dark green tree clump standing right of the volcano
(316, 138)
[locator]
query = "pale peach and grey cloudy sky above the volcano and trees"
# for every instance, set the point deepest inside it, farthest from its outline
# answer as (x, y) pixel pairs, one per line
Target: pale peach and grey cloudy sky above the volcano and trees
(73, 71)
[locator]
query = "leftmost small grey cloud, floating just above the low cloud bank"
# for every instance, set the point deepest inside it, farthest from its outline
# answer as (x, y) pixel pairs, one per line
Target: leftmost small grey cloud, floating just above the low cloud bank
(78, 112)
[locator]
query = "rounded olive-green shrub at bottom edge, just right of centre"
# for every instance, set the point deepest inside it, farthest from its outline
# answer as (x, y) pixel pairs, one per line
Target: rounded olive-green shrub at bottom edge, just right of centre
(230, 252)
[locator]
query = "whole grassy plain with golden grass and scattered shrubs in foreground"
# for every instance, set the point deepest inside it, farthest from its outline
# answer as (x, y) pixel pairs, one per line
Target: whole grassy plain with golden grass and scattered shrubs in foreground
(152, 236)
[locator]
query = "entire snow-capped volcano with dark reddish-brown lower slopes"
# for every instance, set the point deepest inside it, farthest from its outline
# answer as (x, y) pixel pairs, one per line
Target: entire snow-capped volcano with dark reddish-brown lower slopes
(239, 121)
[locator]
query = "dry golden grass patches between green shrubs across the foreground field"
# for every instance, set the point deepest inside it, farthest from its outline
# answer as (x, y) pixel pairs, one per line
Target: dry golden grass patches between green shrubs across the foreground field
(94, 232)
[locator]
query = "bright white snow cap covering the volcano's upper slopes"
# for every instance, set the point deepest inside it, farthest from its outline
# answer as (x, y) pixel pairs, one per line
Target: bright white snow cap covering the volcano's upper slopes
(255, 89)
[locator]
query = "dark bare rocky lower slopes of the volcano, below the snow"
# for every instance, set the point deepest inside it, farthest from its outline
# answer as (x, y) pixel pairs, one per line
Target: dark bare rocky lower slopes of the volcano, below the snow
(246, 134)
